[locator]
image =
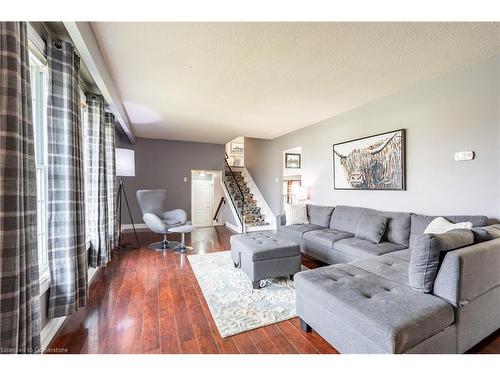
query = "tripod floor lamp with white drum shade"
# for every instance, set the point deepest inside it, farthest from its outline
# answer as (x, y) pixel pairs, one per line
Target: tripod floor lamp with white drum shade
(125, 167)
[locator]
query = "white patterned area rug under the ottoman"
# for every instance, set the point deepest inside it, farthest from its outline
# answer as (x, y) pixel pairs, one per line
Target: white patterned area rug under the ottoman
(234, 305)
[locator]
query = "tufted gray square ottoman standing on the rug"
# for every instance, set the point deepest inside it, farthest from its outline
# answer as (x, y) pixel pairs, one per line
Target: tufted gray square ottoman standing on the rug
(262, 255)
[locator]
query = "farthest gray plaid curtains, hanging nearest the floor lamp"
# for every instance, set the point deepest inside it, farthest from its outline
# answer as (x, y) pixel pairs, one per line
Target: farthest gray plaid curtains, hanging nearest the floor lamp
(99, 181)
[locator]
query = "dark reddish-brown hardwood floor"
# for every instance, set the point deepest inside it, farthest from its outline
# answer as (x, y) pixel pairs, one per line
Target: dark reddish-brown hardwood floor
(150, 302)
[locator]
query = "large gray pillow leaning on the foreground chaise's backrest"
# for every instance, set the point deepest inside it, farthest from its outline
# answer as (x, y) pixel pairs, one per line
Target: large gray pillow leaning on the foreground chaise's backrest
(426, 252)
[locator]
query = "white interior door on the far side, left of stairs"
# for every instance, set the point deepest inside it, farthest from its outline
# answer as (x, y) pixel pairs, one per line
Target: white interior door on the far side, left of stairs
(201, 203)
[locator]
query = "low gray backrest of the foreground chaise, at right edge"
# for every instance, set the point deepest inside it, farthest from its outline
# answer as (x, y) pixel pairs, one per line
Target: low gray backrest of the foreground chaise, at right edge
(469, 272)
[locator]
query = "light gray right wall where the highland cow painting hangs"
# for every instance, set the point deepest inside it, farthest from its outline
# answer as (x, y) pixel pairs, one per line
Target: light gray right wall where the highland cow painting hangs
(456, 112)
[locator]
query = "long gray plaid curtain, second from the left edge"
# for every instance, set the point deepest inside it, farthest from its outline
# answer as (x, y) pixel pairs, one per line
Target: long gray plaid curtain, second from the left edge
(65, 204)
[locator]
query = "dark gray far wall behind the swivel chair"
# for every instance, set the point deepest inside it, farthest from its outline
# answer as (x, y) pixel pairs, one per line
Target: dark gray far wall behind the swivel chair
(163, 164)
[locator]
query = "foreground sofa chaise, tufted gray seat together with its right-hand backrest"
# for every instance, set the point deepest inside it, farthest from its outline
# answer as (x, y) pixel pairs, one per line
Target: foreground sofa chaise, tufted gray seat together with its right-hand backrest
(351, 305)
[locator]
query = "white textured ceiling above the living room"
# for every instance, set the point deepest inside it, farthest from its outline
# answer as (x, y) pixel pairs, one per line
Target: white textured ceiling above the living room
(211, 82)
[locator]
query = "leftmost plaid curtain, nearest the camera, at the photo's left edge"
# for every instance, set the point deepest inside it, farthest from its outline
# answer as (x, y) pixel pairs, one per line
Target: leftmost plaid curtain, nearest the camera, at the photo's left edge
(19, 288)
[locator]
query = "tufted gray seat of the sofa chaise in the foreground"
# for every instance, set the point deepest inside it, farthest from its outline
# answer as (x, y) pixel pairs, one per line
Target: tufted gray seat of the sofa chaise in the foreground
(360, 312)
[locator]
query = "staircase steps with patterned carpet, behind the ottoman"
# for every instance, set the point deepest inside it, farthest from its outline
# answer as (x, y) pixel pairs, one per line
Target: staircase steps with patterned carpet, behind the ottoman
(248, 211)
